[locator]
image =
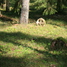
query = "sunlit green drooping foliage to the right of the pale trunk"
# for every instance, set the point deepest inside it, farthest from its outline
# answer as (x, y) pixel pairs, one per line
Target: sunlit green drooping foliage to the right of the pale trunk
(48, 7)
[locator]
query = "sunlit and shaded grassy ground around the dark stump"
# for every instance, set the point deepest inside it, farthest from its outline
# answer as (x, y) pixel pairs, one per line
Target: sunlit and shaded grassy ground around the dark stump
(29, 46)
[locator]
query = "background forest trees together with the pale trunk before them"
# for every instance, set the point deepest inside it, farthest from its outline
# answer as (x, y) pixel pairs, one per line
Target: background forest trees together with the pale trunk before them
(48, 7)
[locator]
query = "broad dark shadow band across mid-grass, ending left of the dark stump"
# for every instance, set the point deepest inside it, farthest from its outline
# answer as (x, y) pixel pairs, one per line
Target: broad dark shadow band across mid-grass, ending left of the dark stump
(13, 37)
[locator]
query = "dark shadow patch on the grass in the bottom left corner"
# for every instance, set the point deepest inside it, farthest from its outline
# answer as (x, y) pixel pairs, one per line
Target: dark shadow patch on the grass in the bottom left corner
(13, 62)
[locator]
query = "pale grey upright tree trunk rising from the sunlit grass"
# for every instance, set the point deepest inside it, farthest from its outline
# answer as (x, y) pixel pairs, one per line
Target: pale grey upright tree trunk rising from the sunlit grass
(24, 12)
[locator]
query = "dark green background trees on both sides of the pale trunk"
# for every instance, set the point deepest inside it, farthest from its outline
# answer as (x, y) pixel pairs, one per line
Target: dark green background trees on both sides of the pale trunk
(49, 6)
